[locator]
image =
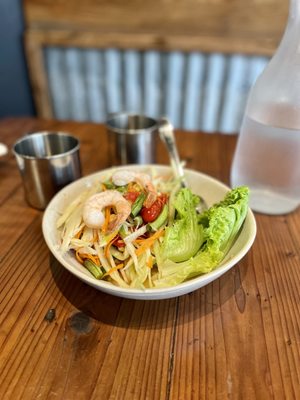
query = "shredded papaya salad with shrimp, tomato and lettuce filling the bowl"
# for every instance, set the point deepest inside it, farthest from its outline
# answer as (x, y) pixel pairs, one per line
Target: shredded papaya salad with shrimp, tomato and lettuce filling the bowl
(142, 230)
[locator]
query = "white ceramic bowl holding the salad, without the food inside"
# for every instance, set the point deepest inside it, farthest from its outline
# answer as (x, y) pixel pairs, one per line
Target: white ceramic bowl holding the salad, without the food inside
(209, 188)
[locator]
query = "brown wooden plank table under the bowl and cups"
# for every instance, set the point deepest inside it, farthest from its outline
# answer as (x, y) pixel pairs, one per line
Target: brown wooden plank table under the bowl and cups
(237, 338)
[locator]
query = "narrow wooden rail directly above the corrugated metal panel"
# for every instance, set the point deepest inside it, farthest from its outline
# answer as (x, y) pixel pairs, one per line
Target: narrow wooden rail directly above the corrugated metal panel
(151, 41)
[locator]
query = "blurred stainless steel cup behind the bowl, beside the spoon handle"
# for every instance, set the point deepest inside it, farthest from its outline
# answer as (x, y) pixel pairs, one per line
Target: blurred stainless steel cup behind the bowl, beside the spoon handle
(132, 139)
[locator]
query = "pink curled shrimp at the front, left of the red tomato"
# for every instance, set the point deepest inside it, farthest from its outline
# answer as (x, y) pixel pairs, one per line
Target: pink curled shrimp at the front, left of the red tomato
(93, 216)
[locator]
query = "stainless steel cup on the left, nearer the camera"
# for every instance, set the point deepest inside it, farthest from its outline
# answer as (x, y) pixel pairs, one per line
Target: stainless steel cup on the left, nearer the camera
(47, 162)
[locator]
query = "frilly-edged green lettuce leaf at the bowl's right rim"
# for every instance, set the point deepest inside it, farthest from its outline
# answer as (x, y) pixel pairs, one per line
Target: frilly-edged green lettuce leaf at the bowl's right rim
(221, 224)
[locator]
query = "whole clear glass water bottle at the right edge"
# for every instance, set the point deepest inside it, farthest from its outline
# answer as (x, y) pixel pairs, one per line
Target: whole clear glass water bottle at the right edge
(267, 157)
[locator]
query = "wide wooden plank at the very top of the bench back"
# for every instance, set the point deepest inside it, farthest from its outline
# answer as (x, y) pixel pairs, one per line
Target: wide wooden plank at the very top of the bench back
(256, 21)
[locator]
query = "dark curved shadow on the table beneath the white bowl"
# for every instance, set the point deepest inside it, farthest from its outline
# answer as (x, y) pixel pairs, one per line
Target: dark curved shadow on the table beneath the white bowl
(152, 314)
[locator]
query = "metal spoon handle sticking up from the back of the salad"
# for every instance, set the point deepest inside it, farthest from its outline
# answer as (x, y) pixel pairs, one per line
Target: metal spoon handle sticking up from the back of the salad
(166, 132)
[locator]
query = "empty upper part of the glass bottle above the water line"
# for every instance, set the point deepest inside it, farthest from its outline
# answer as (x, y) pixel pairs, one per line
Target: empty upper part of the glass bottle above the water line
(275, 98)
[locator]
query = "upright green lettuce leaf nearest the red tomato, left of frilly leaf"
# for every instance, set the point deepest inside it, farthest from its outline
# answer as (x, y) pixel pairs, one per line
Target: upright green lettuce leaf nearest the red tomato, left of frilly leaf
(184, 237)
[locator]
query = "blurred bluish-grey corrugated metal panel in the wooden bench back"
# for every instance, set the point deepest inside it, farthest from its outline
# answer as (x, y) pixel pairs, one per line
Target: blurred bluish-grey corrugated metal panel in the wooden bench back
(196, 91)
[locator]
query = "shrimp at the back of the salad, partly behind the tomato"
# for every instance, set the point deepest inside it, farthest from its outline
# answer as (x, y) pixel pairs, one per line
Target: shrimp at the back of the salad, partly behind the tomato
(123, 177)
